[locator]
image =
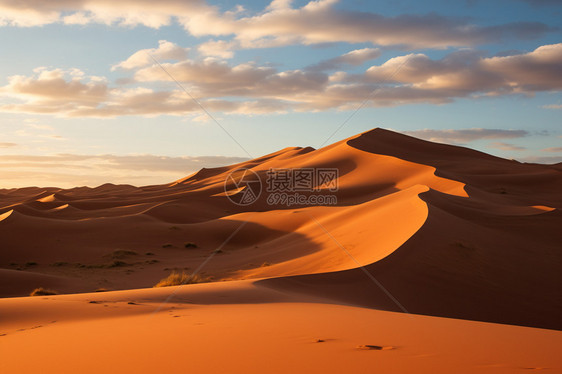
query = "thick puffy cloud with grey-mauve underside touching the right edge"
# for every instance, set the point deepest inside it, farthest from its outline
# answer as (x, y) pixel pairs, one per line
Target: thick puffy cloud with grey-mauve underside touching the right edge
(465, 72)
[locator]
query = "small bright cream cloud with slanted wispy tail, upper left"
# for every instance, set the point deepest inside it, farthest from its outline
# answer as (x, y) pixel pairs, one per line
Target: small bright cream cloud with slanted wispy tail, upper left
(166, 51)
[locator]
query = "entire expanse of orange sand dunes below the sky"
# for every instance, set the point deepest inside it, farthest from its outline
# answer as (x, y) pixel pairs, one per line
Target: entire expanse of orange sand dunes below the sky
(427, 228)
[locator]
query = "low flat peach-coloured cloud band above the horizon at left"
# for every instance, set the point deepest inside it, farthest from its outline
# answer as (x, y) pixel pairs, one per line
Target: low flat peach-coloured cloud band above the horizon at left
(69, 170)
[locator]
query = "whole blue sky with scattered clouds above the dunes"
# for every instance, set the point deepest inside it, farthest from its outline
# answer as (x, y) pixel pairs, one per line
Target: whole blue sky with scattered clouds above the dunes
(147, 92)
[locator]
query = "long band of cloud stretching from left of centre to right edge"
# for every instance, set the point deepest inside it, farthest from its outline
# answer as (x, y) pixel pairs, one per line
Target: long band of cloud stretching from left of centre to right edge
(400, 80)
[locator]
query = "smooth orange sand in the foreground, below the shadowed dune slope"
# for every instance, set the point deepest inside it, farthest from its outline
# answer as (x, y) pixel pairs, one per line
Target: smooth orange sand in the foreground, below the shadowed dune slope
(238, 327)
